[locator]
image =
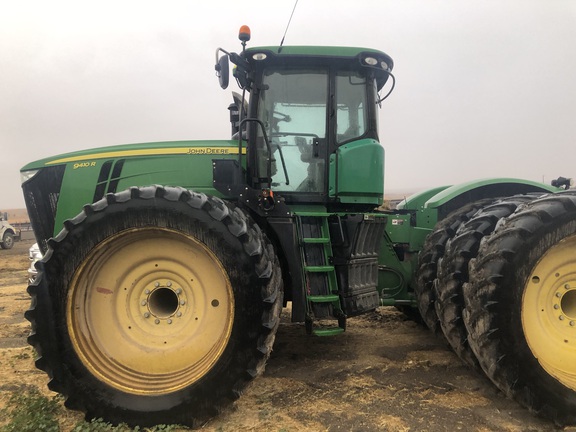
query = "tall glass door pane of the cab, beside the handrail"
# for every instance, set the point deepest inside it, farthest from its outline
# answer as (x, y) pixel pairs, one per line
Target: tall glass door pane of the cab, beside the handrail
(292, 107)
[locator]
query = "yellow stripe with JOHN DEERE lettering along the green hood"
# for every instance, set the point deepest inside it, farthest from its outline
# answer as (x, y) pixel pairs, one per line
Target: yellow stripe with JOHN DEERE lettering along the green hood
(210, 151)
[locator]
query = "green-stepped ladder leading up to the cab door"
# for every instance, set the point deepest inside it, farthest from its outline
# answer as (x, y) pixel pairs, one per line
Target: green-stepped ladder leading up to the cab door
(320, 282)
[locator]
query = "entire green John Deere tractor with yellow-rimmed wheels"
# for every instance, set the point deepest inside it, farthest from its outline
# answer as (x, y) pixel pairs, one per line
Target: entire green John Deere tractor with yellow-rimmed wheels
(167, 264)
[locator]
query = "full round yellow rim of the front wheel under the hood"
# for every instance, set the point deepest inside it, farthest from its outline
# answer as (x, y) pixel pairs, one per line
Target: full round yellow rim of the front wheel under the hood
(150, 311)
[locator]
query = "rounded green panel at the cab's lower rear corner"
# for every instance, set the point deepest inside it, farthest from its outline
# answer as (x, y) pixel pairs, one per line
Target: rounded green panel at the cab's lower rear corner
(357, 173)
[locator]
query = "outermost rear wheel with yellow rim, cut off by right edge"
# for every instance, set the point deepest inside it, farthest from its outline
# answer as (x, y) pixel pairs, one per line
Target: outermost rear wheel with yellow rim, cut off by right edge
(521, 307)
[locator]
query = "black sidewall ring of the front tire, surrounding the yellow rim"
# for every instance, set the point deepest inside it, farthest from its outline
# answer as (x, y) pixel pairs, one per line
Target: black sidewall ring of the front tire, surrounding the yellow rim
(100, 400)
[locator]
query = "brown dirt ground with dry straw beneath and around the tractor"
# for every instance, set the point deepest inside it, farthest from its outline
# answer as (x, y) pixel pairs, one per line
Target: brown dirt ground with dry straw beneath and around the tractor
(385, 373)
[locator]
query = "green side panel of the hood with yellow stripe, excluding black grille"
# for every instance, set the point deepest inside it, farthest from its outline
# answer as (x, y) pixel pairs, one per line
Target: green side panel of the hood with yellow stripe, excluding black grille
(91, 174)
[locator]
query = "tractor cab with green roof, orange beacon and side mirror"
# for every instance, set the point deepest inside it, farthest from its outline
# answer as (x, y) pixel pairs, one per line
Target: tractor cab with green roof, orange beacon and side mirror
(310, 127)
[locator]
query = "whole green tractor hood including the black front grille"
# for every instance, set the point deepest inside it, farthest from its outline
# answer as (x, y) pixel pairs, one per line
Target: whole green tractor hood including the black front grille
(57, 188)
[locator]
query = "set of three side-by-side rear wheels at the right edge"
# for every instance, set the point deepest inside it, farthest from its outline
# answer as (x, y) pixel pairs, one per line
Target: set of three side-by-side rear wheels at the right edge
(503, 292)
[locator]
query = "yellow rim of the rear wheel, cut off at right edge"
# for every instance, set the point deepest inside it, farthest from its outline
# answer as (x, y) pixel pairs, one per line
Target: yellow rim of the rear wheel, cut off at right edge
(549, 312)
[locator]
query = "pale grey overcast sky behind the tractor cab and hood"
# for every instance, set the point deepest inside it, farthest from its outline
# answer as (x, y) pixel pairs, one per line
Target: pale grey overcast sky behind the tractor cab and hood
(483, 88)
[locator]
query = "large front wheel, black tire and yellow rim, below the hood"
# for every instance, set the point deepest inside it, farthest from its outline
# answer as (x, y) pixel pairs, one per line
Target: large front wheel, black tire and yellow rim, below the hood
(155, 306)
